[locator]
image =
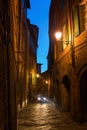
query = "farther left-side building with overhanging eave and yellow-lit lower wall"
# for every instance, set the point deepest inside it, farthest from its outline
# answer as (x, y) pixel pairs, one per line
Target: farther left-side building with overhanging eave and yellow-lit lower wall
(32, 61)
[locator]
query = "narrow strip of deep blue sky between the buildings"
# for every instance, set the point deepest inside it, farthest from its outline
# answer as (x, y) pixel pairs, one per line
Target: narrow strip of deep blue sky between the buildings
(39, 15)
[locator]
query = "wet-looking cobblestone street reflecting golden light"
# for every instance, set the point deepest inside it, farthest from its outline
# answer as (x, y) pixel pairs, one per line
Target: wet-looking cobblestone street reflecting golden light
(46, 117)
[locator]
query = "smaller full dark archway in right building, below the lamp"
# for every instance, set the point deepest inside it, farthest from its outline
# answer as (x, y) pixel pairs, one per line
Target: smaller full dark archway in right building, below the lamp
(66, 93)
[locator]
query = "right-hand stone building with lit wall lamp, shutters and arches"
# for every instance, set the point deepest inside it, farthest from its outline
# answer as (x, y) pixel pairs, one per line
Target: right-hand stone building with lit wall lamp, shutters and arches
(67, 58)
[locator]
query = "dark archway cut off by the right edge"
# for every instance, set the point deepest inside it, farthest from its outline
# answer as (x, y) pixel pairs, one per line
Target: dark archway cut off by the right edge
(83, 96)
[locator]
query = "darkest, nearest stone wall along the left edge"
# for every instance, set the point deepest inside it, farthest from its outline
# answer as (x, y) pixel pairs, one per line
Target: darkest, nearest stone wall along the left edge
(8, 113)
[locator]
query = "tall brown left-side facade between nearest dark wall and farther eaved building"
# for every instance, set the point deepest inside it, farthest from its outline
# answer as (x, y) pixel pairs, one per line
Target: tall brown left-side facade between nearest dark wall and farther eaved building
(21, 53)
